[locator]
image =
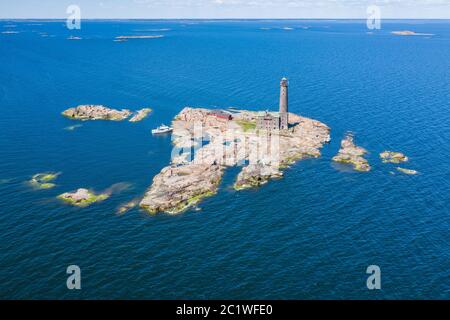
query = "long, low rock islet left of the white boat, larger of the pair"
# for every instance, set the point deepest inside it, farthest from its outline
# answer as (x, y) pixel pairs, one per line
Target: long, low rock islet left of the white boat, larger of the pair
(96, 112)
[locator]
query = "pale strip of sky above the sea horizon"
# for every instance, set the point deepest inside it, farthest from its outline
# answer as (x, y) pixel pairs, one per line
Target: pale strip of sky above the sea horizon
(218, 9)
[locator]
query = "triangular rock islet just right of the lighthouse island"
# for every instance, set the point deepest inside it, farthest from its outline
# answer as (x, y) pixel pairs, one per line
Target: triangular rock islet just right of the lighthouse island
(352, 154)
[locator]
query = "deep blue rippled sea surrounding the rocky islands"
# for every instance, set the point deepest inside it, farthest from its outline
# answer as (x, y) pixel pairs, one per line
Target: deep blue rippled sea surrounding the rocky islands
(310, 235)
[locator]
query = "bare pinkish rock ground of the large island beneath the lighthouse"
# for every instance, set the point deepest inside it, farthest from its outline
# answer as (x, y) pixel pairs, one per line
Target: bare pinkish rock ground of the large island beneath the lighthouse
(195, 175)
